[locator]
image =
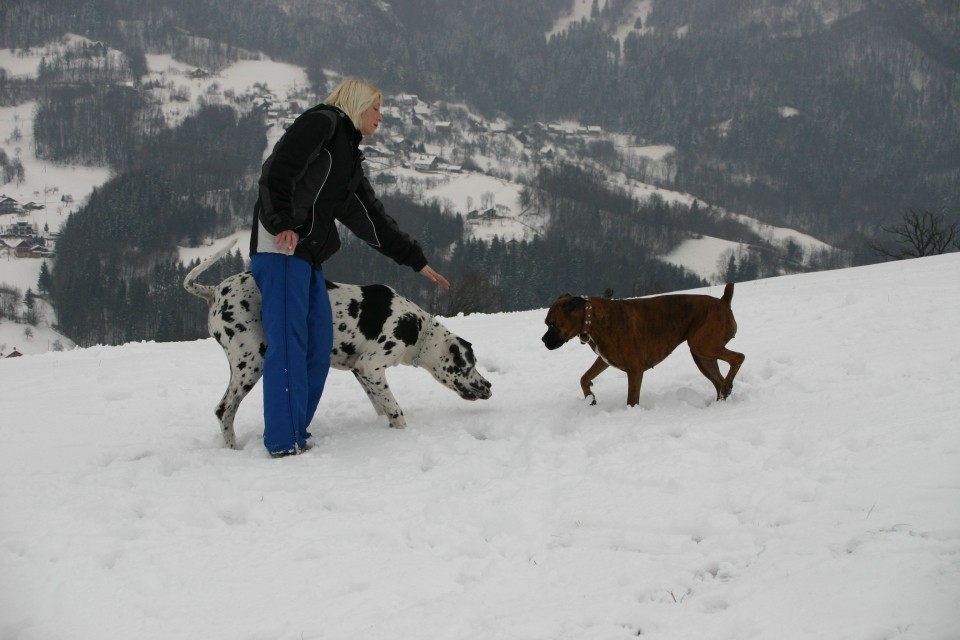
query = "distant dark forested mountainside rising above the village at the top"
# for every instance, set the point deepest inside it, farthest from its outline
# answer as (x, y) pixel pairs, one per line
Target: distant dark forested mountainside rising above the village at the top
(830, 115)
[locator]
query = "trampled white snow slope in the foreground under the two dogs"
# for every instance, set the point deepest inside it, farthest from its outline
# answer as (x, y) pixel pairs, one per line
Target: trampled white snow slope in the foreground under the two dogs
(819, 501)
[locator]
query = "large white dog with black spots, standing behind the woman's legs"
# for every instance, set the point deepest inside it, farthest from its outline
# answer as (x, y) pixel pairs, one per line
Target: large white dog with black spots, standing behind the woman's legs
(374, 328)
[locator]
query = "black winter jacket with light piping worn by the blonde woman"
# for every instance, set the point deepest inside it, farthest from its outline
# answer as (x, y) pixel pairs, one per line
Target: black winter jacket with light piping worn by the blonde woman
(315, 176)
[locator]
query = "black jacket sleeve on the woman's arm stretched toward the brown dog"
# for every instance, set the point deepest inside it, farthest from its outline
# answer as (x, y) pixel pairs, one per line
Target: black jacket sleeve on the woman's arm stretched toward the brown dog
(367, 218)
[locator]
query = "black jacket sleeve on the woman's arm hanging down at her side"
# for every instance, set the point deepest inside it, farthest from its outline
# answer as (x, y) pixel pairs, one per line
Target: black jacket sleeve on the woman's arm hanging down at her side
(293, 153)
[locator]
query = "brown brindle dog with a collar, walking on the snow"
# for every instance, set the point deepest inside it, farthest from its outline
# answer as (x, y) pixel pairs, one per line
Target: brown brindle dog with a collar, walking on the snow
(637, 334)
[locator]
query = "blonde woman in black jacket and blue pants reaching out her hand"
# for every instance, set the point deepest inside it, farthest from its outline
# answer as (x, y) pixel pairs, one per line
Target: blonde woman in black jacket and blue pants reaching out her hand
(313, 177)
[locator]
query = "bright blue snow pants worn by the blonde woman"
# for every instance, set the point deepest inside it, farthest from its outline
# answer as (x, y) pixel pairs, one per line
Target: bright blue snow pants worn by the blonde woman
(298, 325)
